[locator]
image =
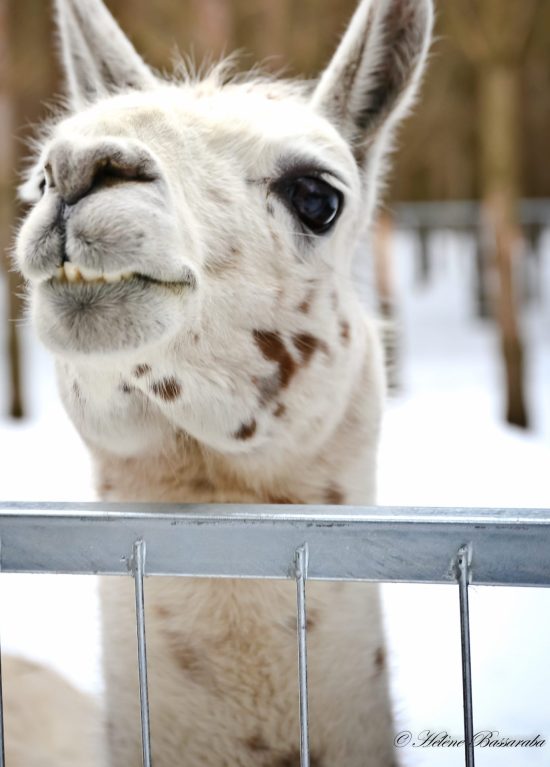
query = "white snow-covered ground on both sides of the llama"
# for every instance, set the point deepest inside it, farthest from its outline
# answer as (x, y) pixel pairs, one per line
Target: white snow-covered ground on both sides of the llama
(444, 444)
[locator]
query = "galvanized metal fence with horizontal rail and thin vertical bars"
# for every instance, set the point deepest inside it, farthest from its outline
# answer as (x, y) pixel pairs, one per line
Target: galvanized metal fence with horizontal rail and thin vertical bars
(504, 547)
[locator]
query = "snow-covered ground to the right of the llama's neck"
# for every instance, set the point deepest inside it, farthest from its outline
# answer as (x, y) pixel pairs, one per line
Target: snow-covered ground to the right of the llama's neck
(444, 444)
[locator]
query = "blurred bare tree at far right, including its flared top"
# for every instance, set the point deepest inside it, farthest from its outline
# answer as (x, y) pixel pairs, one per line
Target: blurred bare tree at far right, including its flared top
(496, 42)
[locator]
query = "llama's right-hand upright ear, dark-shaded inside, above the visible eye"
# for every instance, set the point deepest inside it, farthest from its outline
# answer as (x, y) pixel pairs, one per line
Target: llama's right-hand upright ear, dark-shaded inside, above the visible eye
(375, 72)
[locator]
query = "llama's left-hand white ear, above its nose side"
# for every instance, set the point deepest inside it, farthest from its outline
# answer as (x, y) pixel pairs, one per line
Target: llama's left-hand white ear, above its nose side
(98, 58)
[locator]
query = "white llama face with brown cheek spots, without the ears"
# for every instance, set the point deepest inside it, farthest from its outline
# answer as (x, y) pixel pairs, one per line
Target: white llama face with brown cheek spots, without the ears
(200, 258)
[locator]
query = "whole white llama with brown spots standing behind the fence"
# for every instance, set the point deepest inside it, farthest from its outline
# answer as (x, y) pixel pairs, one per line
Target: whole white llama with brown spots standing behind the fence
(189, 258)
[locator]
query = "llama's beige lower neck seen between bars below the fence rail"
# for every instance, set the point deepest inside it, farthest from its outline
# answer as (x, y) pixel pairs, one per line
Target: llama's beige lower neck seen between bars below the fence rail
(223, 674)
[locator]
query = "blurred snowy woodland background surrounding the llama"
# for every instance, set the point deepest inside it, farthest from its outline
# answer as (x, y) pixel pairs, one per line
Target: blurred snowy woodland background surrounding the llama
(458, 262)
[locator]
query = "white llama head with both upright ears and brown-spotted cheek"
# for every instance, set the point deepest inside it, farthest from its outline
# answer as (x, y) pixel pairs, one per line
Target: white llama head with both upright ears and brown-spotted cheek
(192, 239)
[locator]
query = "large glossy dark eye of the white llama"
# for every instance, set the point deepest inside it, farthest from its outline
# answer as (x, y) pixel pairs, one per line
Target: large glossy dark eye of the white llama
(316, 203)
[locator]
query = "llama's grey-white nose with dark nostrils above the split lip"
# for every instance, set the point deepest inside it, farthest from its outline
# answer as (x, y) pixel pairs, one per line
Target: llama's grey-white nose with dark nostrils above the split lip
(76, 169)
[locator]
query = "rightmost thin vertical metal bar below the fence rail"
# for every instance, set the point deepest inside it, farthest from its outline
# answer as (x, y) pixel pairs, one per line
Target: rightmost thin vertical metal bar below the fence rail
(463, 565)
